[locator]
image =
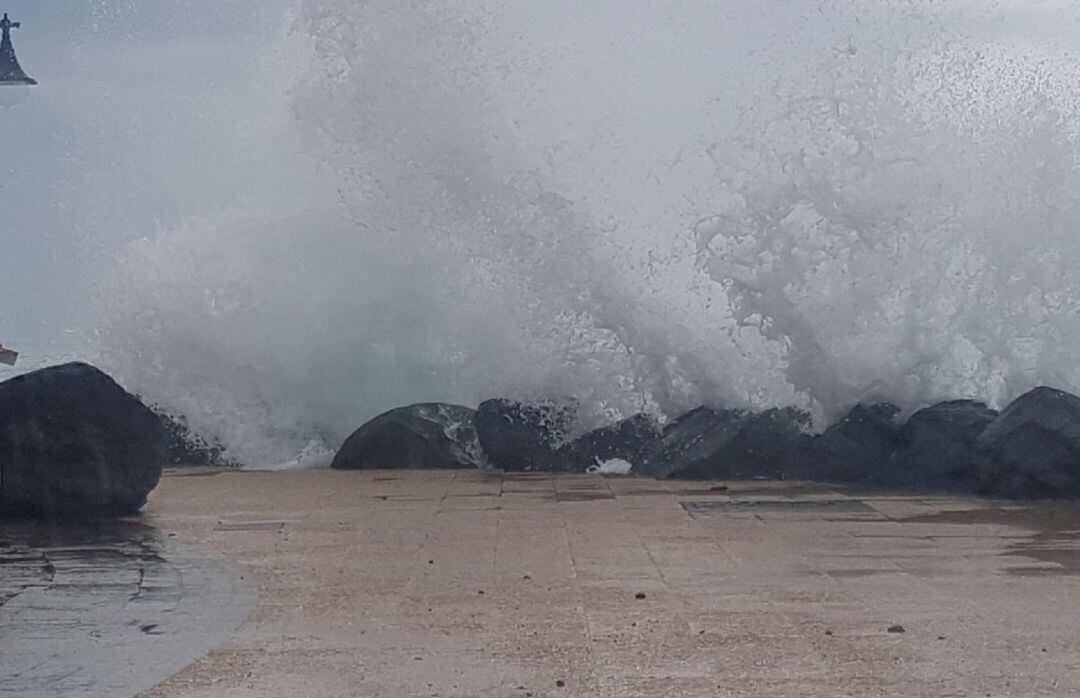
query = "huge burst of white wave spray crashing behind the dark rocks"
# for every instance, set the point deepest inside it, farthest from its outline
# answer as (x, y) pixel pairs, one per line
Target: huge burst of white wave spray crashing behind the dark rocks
(646, 207)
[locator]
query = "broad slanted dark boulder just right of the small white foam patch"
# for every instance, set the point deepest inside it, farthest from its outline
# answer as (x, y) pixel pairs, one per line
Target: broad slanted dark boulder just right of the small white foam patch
(730, 445)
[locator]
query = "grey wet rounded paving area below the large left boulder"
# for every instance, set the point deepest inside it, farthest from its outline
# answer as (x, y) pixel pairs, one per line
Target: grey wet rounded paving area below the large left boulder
(106, 609)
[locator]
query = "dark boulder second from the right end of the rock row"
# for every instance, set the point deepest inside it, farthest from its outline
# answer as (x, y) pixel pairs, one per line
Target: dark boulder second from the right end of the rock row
(938, 449)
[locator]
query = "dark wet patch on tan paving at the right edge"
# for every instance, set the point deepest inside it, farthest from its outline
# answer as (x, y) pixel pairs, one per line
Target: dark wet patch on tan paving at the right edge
(1054, 546)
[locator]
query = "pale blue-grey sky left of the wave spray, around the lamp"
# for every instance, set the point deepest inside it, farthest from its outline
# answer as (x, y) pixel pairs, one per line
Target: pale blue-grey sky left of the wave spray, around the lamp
(146, 114)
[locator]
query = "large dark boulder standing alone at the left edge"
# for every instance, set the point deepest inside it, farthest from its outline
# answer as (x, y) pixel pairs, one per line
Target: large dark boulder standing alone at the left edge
(73, 442)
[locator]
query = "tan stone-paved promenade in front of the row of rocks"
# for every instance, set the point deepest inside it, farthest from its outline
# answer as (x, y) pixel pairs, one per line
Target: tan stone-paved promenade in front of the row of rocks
(466, 584)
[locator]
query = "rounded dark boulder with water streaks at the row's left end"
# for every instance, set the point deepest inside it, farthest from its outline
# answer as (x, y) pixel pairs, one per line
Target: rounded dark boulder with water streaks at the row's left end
(425, 436)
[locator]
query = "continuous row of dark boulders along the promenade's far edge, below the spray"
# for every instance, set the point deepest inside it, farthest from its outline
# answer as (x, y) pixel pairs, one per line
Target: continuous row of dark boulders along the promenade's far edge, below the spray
(1030, 450)
